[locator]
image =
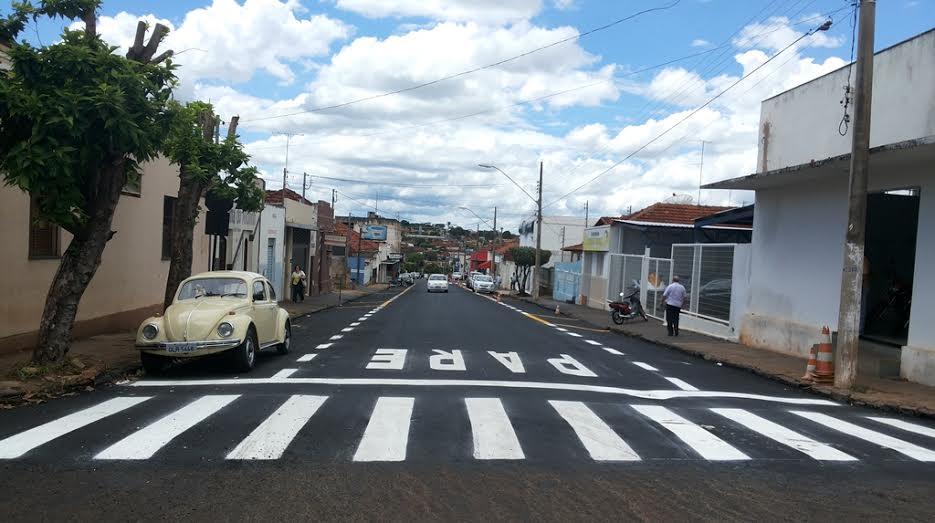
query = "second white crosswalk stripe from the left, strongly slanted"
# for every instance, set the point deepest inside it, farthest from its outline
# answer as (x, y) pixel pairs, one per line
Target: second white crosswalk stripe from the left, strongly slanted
(145, 442)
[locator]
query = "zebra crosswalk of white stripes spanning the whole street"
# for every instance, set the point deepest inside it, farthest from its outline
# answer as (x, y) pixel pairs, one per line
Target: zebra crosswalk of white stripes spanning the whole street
(491, 429)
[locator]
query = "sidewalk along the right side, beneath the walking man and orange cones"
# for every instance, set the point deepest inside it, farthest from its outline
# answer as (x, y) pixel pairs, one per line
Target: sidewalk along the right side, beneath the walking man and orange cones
(886, 394)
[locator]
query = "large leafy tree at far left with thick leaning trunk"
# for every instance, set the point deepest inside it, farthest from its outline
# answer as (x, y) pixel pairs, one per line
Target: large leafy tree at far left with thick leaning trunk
(76, 121)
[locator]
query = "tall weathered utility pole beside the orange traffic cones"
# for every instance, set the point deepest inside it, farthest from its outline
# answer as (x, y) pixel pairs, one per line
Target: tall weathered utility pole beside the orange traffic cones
(852, 275)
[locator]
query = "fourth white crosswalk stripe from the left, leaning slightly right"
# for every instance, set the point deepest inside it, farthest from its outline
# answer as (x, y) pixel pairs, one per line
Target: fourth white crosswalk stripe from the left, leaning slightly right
(387, 432)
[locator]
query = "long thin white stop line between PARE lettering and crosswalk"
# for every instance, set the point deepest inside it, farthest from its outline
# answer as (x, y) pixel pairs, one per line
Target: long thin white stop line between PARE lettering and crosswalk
(505, 384)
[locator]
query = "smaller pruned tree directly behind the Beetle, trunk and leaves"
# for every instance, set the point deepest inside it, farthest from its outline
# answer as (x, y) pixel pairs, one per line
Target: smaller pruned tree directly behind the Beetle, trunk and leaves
(205, 166)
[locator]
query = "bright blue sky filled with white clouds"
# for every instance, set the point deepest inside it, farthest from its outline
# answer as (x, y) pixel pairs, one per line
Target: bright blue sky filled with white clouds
(584, 108)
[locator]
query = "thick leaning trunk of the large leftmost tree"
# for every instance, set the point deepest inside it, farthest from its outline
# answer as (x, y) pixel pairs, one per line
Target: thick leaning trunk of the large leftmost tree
(79, 264)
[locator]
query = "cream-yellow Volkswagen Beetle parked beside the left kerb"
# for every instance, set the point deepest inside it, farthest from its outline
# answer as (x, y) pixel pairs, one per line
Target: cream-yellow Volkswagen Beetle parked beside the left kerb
(215, 312)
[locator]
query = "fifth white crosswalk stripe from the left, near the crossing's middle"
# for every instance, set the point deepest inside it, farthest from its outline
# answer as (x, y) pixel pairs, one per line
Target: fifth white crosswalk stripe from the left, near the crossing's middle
(492, 432)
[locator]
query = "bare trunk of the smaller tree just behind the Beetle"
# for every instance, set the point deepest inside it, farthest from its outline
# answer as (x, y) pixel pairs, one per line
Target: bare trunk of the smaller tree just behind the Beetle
(184, 219)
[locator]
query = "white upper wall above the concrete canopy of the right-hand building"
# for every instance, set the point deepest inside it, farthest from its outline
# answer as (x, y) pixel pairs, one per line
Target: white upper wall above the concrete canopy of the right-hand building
(903, 108)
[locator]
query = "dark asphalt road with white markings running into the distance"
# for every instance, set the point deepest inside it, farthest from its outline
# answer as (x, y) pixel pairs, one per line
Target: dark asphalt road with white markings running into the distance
(416, 406)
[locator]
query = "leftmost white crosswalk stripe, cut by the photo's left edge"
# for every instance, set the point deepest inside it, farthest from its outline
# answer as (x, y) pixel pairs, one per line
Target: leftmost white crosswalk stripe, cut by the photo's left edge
(19, 444)
